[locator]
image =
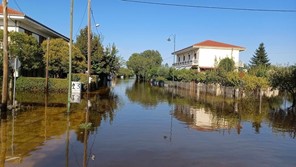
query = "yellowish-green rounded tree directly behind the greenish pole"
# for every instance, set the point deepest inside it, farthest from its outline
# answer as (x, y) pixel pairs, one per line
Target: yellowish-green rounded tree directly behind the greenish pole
(58, 56)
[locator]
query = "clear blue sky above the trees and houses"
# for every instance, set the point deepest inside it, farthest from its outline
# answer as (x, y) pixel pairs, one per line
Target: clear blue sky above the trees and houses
(136, 27)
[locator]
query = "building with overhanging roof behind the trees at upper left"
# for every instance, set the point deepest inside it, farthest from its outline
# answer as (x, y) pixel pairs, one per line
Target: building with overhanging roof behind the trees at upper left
(19, 22)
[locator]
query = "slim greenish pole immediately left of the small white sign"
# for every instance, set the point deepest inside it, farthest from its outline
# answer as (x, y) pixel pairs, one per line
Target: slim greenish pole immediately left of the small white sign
(70, 55)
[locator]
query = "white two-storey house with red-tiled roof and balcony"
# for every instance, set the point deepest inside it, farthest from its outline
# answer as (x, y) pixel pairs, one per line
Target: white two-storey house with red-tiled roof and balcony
(206, 55)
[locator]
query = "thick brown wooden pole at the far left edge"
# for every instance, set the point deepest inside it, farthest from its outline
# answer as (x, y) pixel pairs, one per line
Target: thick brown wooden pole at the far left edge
(5, 58)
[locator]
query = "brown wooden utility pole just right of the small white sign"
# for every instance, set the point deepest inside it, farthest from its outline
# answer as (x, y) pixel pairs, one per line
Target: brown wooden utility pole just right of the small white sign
(89, 47)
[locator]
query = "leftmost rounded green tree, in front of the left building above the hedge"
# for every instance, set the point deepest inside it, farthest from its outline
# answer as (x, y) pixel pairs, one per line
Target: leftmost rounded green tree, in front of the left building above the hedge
(27, 48)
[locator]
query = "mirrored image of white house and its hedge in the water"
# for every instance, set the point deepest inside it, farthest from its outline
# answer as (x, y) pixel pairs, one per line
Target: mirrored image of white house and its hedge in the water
(205, 112)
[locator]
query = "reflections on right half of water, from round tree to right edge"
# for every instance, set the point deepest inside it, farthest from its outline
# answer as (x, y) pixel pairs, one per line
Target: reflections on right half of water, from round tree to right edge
(218, 113)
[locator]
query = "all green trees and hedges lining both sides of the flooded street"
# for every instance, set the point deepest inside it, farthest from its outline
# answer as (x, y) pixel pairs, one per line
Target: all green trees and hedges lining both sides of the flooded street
(147, 65)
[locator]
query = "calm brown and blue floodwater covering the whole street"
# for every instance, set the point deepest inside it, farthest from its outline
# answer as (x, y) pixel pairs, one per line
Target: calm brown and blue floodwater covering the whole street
(134, 124)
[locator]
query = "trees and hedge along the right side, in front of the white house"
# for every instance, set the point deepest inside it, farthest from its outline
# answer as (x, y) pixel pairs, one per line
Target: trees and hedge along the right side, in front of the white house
(258, 75)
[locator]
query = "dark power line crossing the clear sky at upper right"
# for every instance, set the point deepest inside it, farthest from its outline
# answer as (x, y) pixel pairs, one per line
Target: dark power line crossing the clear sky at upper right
(212, 7)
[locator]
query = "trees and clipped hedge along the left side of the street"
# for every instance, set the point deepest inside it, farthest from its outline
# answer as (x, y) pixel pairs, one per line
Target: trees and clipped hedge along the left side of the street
(33, 55)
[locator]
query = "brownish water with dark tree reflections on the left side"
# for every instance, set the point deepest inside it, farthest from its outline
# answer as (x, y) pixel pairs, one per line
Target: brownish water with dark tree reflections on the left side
(41, 119)
